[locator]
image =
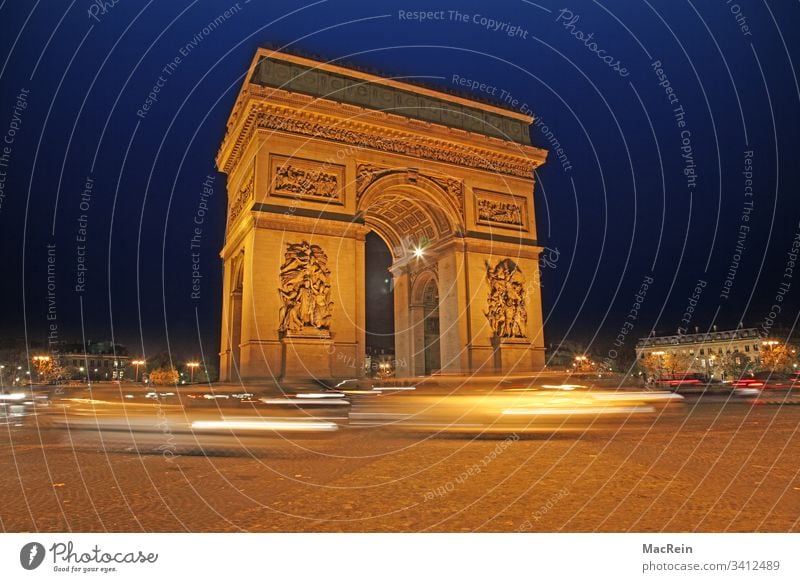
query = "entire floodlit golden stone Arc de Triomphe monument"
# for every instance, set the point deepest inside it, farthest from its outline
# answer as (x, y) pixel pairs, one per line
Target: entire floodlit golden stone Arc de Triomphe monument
(317, 156)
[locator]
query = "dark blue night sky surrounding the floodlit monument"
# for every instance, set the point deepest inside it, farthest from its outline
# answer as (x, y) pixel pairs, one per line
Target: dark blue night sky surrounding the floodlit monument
(649, 186)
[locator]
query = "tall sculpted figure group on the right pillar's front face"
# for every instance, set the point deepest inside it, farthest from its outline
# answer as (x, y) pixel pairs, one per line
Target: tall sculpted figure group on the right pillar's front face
(506, 312)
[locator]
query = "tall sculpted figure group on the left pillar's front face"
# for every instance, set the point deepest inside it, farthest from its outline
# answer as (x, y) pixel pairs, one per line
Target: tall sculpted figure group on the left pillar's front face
(305, 289)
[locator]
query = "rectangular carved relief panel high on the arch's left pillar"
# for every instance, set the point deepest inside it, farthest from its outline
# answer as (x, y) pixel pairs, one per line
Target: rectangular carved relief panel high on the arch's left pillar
(306, 179)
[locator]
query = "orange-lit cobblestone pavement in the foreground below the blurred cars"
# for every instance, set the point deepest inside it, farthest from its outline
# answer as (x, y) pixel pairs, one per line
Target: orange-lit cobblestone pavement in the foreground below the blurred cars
(711, 467)
